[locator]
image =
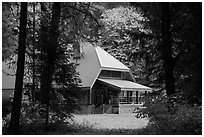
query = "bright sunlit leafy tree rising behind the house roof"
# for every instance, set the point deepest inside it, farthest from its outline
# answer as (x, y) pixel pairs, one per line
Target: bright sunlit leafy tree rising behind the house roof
(127, 37)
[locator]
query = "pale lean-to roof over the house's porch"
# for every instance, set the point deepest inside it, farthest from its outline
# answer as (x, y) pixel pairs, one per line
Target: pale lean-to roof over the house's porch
(125, 85)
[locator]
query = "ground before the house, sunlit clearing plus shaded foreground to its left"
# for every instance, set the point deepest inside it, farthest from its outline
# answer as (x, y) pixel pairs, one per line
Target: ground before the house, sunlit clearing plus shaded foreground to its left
(88, 125)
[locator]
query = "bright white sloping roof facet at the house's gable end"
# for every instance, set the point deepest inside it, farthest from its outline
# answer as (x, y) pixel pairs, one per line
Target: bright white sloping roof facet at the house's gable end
(108, 61)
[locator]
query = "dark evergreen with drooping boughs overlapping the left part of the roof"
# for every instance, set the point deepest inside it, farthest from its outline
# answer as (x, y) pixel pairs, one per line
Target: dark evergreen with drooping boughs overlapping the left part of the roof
(58, 75)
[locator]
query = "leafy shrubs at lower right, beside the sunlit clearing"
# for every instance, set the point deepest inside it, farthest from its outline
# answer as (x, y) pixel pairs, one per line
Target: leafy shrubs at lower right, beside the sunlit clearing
(187, 120)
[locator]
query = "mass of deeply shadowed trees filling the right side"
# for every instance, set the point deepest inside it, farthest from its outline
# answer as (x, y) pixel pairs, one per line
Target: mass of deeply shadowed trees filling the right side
(177, 40)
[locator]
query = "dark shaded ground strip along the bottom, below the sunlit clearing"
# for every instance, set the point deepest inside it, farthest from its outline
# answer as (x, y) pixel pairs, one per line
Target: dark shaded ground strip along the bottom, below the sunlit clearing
(72, 129)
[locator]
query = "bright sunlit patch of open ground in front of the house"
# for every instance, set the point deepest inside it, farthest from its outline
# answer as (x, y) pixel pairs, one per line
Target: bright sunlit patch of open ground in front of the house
(111, 121)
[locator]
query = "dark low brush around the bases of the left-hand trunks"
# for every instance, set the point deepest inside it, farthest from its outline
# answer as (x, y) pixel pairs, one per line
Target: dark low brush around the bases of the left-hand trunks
(32, 120)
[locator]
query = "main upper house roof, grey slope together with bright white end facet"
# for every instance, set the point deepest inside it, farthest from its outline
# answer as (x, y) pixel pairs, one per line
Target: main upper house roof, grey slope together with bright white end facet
(93, 60)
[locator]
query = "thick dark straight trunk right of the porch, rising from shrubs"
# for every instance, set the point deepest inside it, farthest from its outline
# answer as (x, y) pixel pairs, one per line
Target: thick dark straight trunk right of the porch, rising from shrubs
(167, 55)
